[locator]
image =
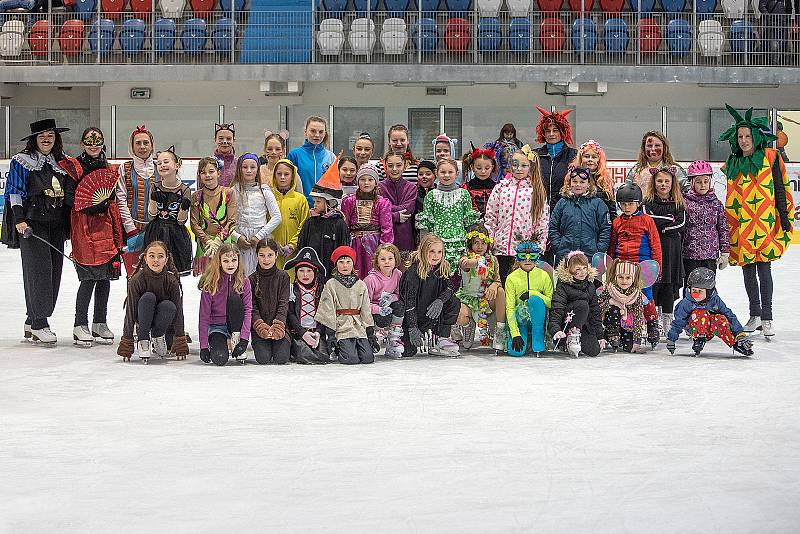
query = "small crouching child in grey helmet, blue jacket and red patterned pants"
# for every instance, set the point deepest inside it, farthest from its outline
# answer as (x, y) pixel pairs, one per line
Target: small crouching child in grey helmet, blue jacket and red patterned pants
(705, 315)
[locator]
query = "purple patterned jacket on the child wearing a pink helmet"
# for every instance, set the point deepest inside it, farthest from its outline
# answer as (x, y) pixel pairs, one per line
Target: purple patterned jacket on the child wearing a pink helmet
(706, 229)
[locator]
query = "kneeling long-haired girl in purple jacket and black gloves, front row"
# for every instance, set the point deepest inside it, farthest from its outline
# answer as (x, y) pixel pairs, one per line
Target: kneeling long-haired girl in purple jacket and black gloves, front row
(225, 307)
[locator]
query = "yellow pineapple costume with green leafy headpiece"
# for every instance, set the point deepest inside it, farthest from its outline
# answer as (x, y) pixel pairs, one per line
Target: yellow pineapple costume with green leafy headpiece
(758, 201)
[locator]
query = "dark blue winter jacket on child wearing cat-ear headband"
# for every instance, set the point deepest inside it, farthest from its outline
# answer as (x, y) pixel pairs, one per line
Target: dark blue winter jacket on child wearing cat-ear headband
(579, 223)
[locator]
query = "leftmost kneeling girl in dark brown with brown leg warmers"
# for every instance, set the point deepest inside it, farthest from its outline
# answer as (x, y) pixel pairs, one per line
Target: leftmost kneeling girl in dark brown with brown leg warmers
(154, 307)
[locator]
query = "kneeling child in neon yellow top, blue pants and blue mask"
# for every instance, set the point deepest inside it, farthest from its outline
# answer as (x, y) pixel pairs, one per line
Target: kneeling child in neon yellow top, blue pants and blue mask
(528, 294)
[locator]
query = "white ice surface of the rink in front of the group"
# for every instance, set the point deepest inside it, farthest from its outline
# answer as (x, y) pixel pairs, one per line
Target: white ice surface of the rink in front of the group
(622, 443)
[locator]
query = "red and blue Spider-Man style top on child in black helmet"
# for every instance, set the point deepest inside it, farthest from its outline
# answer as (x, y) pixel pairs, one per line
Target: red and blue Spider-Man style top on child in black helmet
(635, 238)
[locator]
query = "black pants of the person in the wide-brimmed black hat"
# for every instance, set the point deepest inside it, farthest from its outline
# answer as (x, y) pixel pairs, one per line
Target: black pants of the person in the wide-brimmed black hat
(41, 272)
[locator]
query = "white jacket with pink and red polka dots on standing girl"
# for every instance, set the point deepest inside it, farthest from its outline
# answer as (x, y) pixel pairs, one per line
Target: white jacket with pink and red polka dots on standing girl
(508, 216)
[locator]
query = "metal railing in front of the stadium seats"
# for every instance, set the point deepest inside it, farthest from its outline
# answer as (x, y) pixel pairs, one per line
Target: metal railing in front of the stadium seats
(410, 37)
